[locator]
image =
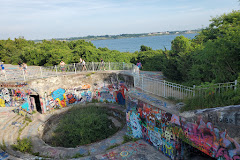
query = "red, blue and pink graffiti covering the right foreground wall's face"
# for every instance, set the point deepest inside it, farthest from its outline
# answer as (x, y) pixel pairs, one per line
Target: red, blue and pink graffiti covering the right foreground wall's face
(167, 132)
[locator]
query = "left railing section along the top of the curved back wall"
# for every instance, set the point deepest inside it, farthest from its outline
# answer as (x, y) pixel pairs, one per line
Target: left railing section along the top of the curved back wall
(35, 72)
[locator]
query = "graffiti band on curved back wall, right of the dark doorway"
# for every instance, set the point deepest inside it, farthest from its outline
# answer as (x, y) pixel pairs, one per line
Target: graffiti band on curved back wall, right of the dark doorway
(85, 93)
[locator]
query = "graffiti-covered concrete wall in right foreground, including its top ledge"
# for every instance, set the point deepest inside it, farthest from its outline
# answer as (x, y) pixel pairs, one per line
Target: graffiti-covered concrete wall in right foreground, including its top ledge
(168, 131)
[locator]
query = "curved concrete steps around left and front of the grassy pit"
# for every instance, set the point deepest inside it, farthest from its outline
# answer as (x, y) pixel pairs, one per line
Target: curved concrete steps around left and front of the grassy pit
(13, 126)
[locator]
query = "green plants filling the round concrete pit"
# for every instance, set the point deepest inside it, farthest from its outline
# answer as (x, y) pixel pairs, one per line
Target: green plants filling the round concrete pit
(81, 126)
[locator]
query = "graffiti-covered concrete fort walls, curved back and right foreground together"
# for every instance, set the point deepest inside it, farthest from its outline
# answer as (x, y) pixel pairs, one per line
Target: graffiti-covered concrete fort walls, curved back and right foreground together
(215, 132)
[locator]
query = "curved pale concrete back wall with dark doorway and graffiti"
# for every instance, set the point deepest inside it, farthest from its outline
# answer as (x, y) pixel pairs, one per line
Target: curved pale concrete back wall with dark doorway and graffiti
(57, 92)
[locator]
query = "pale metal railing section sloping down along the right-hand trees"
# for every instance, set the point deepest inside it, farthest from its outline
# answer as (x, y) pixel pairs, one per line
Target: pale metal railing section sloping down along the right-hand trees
(167, 89)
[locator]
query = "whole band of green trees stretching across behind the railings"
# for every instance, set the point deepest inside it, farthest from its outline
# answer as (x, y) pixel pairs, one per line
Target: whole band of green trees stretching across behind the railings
(212, 56)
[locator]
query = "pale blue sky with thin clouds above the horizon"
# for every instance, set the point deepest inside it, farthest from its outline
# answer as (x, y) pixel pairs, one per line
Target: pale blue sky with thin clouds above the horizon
(47, 19)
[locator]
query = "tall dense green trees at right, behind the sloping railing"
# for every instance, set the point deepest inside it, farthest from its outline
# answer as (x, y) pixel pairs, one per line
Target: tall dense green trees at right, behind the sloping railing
(212, 56)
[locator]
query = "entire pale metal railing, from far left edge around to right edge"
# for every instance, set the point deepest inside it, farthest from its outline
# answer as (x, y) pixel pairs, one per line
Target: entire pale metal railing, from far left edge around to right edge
(154, 86)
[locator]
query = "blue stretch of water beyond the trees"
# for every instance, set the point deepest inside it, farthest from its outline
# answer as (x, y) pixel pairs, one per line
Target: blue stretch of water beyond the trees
(134, 44)
